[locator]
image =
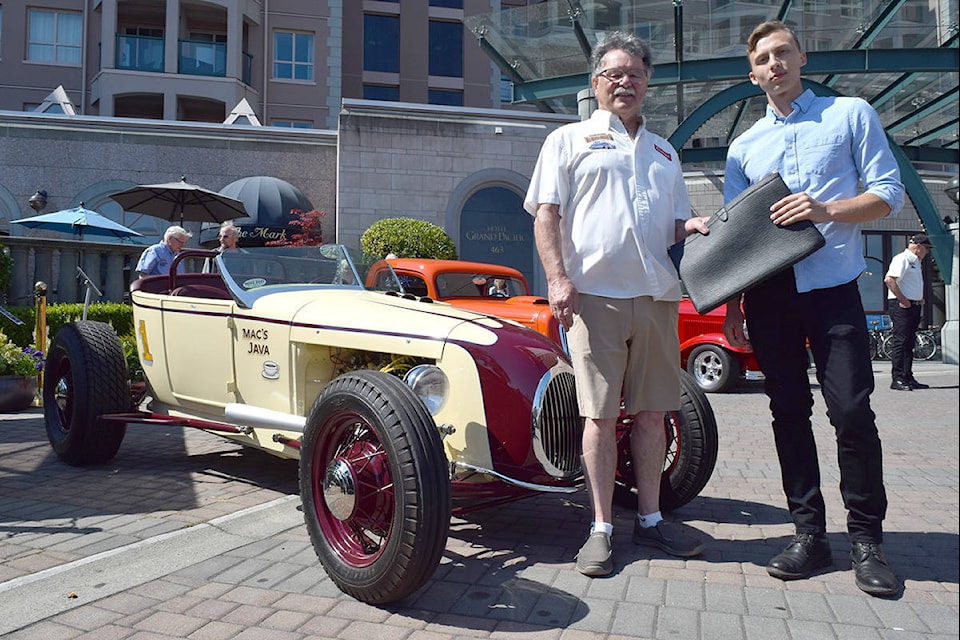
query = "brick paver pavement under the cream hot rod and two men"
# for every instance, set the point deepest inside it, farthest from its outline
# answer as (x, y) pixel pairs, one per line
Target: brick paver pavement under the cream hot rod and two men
(185, 535)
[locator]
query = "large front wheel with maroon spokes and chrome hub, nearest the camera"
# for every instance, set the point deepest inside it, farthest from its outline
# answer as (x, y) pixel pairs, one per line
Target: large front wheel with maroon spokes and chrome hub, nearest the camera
(368, 433)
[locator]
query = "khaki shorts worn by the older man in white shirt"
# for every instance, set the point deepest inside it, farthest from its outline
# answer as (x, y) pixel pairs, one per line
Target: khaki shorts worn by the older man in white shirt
(625, 348)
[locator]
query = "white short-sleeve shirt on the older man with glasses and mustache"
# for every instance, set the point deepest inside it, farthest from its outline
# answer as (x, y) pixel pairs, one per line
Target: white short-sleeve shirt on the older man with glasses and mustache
(619, 198)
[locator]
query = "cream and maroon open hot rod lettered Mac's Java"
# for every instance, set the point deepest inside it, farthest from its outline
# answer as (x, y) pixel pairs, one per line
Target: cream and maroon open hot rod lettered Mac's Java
(401, 410)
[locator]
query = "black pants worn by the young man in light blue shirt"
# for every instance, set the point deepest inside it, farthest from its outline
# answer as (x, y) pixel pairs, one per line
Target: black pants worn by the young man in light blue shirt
(780, 321)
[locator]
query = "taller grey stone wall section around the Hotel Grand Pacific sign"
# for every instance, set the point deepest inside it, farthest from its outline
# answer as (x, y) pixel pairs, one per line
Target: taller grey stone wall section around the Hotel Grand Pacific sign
(414, 160)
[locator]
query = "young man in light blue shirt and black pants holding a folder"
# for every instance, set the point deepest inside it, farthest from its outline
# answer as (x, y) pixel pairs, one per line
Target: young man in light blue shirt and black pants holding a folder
(823, 148)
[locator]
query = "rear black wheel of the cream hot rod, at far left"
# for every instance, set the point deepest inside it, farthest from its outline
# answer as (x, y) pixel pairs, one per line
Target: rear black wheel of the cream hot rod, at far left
(84, 377)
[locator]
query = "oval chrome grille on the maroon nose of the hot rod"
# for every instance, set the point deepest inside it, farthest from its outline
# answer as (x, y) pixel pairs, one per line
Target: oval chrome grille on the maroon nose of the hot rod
(557, 425)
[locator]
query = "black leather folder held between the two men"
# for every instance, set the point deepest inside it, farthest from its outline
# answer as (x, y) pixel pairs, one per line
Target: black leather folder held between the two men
(744, 247)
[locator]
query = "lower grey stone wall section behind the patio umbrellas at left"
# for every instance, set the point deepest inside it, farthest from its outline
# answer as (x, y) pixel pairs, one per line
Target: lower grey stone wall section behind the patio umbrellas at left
(84, 159)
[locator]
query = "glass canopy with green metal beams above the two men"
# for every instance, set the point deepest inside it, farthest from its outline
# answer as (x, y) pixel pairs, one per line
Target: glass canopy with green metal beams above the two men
(901, 56)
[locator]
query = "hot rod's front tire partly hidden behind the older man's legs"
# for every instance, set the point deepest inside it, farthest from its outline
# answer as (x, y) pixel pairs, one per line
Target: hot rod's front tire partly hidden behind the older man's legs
(692, 444)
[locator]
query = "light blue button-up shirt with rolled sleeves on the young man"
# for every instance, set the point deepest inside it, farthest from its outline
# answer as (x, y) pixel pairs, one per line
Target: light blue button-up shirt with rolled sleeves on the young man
(825, 147)
